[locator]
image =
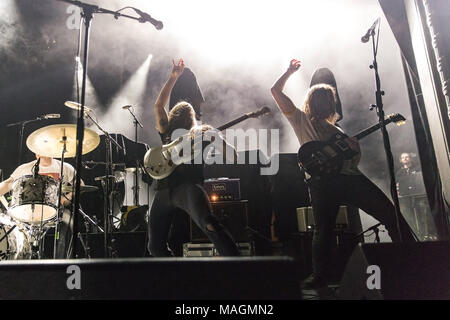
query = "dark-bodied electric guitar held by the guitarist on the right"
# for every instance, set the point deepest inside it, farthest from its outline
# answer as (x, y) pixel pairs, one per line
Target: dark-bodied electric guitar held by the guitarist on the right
(325, 158)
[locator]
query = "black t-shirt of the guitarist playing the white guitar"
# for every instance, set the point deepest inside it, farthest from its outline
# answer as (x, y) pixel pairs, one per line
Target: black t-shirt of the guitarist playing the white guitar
(186, 172)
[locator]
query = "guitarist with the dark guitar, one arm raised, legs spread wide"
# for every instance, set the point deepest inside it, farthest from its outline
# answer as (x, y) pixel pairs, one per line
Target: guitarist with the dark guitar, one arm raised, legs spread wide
(315, 121)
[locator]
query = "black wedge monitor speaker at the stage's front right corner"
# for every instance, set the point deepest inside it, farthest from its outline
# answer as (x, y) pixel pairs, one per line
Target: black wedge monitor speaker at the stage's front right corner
(393, 271)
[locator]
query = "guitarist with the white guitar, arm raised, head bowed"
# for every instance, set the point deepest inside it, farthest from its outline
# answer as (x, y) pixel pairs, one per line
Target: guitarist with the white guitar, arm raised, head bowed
(183, 188)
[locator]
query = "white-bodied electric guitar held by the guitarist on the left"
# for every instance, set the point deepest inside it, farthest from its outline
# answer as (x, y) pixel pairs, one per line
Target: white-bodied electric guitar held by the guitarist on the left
(158, 161)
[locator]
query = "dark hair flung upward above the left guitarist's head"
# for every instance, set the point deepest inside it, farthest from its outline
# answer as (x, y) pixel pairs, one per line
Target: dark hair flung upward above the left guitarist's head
(187, 89)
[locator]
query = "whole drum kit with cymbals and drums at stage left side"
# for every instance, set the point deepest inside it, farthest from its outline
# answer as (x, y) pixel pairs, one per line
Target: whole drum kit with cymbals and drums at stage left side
(36, 201)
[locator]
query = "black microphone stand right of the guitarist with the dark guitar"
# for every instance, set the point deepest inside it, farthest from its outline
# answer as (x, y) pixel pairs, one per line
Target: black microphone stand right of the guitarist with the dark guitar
(387, 145)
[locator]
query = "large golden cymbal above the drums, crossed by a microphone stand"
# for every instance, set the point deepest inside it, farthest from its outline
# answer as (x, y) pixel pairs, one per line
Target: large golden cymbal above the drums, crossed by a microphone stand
(48, 141)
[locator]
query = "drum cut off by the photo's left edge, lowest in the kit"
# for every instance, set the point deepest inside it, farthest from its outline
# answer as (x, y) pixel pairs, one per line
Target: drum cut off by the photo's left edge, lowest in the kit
(14, 243)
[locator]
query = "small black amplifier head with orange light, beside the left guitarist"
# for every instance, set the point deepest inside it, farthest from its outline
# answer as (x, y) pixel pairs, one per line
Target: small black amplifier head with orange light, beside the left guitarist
(223, 189)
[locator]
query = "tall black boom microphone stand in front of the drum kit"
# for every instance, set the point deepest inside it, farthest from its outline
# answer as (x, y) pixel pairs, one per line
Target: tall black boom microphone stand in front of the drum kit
(87, 14)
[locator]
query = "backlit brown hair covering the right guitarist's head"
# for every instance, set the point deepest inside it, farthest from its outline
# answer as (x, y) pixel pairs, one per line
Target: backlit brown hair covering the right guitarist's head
(320, 103)
